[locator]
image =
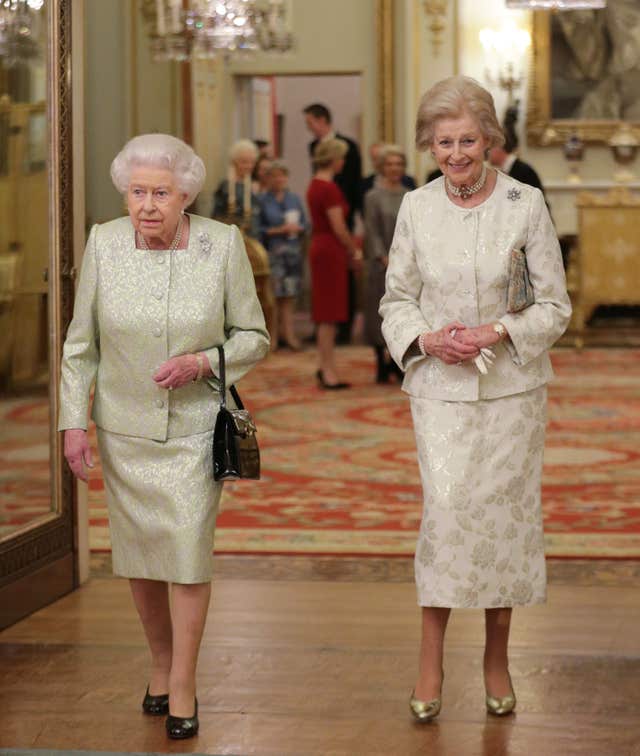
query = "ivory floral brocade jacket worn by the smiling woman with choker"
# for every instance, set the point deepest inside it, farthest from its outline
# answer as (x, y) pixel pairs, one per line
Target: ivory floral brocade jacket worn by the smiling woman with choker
(448, 263)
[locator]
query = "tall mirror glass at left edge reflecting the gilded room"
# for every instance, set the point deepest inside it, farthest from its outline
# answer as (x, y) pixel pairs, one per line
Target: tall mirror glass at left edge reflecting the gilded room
(25, 491)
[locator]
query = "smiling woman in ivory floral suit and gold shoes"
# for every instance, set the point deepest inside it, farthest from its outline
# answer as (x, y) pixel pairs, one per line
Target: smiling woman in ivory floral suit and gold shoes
(476, 376)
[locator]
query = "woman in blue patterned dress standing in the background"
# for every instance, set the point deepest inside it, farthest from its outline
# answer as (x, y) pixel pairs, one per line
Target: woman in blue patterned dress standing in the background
(283, 224)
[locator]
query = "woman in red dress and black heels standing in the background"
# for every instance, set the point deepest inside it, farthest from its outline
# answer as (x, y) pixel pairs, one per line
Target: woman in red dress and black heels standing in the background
(332, 251)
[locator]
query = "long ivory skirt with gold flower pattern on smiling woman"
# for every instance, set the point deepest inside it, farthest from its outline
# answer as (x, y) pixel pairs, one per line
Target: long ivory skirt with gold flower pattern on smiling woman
(481, 541)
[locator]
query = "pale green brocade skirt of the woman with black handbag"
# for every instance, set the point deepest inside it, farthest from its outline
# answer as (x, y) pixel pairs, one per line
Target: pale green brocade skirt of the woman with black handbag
(162, 502)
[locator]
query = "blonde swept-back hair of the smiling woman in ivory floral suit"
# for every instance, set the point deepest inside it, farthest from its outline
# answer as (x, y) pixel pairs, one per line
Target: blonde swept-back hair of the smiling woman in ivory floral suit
(451, 98)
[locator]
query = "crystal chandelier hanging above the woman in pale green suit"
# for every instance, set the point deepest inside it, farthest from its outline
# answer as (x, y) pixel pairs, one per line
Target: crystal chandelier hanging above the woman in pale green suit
(185, 29)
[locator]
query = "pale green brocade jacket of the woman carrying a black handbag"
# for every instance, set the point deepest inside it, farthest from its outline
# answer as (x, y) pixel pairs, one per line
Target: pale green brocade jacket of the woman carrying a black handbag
(135, 309)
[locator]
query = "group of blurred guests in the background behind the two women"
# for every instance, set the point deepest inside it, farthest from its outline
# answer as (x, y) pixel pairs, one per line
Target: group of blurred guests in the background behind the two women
(347, 271)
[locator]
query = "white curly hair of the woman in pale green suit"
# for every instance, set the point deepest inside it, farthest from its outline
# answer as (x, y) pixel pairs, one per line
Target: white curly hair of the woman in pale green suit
(160, 151)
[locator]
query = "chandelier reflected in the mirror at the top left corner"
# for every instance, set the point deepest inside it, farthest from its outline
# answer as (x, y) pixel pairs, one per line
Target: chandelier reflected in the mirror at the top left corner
(19, 29)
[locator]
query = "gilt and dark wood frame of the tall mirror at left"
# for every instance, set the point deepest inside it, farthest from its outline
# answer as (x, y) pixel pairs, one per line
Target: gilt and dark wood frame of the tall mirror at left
(39, 563)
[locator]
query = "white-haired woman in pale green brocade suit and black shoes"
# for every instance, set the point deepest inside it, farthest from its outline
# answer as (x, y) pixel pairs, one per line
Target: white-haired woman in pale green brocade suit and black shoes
(158, 291)
